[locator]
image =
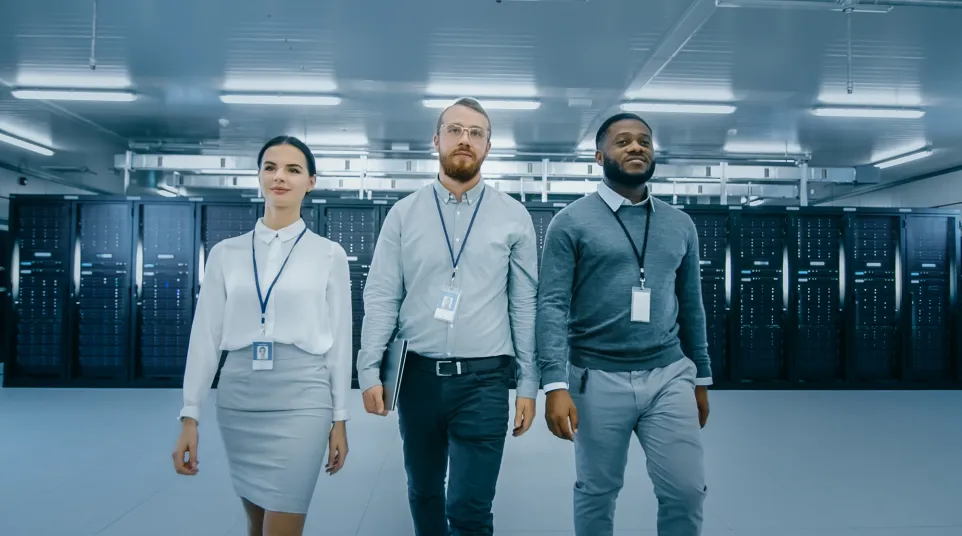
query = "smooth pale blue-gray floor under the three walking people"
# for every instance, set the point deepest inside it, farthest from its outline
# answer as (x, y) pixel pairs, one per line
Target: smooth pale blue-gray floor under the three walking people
(844, 463)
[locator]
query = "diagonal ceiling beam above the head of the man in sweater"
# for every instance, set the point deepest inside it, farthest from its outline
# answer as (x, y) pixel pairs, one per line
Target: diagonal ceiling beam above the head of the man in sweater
(674, 41)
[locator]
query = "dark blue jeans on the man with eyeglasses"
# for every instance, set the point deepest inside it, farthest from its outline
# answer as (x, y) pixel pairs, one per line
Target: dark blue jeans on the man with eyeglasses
(463, 419)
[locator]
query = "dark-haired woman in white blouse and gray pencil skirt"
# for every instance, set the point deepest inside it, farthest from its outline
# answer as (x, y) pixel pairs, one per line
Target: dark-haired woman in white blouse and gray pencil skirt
(278, 299)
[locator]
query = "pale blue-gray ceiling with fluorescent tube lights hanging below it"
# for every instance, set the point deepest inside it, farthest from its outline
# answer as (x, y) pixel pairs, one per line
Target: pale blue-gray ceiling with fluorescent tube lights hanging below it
(580, 58)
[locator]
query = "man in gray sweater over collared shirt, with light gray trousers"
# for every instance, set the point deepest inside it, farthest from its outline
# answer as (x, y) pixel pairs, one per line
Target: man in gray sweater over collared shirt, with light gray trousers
(622, 340)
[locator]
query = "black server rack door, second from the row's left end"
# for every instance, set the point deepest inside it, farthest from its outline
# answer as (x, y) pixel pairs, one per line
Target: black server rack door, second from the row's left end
(104, 301)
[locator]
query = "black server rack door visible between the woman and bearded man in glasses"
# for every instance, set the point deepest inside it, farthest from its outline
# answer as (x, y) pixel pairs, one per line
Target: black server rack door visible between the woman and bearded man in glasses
(355, 227)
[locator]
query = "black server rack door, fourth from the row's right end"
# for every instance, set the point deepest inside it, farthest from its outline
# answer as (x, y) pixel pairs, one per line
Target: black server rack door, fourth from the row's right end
(760, 271)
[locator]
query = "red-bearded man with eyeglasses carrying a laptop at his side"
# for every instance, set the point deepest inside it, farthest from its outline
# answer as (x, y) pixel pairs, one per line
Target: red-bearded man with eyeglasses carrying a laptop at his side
(455, 271)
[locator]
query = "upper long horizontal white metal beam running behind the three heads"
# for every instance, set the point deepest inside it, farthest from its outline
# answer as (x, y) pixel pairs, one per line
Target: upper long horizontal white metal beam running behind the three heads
(545, 170)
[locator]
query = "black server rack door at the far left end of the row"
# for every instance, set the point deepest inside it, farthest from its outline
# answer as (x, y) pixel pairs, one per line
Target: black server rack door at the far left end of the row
(40, 289)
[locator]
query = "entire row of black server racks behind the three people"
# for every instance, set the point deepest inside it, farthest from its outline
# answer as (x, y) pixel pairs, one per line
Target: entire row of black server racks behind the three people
(893, 277)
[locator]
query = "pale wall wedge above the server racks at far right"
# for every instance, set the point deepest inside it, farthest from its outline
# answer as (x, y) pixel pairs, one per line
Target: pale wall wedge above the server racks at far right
(939, 191)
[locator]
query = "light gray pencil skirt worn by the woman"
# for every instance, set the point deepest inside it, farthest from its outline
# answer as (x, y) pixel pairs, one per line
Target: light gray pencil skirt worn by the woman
(275, 425)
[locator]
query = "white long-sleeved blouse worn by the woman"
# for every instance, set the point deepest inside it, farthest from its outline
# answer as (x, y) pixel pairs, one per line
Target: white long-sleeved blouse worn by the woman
(310, 307)
